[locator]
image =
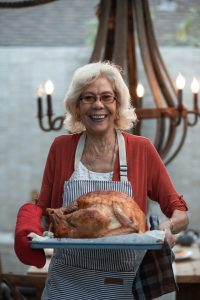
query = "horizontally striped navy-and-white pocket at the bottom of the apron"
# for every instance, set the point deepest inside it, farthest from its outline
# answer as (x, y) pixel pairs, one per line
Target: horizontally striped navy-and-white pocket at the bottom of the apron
(83, 284)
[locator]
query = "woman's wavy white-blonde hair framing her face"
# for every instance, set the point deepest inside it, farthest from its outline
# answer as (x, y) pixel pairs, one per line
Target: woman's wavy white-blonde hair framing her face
(84, 76)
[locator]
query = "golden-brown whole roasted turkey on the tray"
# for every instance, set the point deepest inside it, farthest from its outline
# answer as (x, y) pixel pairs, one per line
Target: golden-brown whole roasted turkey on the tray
(97, 214)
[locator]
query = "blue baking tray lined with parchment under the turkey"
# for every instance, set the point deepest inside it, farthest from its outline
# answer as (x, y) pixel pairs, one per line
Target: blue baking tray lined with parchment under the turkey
(129, 241)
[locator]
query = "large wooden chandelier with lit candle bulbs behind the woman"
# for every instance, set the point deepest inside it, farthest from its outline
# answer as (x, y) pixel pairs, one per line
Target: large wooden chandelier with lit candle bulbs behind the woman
(123, 27)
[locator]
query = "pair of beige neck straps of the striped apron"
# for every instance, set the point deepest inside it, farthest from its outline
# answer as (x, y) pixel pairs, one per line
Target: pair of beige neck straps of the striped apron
(123, 168)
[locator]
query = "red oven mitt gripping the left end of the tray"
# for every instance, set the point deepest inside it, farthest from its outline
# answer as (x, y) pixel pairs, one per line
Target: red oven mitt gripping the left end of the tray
(29, 220)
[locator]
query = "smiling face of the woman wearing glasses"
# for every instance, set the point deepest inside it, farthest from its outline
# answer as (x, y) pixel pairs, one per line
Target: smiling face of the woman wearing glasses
(98, 117)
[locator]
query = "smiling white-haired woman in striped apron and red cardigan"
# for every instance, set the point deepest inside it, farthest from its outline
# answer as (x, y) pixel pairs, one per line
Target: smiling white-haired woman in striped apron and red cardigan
(97, 155)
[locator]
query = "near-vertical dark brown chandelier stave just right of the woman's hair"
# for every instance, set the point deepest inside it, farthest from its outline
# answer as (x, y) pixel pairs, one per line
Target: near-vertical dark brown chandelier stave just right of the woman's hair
(131, 56)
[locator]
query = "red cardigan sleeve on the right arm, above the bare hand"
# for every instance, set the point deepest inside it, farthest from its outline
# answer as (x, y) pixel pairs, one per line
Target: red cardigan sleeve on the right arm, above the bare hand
(160, 186)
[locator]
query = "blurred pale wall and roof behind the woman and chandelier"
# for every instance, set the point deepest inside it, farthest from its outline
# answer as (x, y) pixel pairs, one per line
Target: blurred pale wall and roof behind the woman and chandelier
(48, 42)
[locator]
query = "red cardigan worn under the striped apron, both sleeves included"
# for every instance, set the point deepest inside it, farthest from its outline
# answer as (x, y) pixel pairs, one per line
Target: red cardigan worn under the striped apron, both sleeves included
(146, 172)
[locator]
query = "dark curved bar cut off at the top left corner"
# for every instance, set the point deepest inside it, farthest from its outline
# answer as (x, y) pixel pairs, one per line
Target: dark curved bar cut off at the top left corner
(23, 4)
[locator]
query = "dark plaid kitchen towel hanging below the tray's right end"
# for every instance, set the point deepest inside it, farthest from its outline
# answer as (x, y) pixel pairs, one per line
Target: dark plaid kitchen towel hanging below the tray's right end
(155, 276)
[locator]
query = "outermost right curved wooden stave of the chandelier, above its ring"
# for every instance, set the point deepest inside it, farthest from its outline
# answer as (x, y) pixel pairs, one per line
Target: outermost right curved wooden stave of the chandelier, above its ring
(153, 37)
